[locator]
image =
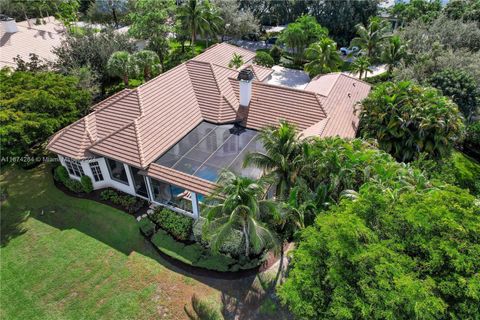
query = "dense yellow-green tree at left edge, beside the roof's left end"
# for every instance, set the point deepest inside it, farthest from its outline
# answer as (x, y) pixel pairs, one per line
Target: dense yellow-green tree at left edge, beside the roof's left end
(33, 106)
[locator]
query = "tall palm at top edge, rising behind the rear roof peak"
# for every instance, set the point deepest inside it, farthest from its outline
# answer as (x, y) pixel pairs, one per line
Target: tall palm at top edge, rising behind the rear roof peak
(194, 18)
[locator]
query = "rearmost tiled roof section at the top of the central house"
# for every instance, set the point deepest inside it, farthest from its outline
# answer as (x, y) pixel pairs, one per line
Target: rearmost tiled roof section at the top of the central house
(222, 53)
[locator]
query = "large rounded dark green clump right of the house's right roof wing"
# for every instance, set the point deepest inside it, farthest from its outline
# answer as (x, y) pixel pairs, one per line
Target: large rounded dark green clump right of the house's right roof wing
(408, 119)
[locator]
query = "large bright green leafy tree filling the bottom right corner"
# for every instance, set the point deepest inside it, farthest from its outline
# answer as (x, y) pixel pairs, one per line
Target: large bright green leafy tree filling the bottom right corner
(377, 258)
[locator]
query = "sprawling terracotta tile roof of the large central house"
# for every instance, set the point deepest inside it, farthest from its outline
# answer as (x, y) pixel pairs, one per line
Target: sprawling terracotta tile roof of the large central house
(137, 126)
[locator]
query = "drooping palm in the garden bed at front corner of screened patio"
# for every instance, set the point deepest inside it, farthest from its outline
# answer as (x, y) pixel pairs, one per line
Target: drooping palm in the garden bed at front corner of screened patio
(236, 205)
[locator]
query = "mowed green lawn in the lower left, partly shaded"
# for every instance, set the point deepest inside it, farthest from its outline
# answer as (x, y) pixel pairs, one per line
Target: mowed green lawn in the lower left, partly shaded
(69, 258)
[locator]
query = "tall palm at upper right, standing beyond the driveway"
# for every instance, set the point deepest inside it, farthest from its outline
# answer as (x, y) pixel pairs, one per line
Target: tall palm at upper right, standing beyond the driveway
(370, 37)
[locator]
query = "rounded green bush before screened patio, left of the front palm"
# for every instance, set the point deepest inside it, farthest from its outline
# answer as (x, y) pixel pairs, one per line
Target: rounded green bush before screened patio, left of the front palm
(176, 224)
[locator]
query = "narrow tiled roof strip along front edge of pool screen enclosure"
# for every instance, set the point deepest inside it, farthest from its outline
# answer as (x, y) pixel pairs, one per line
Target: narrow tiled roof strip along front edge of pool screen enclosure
(180, 179)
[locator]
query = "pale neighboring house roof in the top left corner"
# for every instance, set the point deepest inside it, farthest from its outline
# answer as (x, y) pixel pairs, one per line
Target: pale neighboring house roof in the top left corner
(30, 38)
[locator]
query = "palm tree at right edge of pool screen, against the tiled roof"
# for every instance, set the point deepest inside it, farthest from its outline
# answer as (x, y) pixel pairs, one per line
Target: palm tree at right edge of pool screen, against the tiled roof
(282, 158)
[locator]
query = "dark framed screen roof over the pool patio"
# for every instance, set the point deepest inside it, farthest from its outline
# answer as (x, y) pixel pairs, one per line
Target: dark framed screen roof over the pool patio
(208, 149)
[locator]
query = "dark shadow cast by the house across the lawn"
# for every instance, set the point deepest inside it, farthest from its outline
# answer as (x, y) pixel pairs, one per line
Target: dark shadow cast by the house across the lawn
(241, 297)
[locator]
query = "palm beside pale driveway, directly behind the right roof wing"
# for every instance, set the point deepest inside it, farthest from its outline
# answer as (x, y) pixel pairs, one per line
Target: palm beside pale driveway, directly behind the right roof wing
(323, 56)
